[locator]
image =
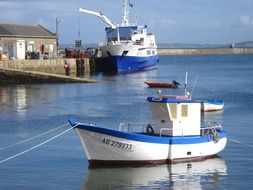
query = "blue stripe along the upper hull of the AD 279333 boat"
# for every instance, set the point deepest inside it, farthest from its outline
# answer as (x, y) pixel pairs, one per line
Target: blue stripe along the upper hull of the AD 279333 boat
(151, 139)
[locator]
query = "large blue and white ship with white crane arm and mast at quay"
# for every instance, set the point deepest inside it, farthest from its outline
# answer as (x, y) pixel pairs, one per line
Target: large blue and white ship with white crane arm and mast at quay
(128, 47)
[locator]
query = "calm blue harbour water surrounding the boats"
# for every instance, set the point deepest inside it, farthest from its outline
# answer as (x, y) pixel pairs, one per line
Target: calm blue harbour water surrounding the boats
(29, 110)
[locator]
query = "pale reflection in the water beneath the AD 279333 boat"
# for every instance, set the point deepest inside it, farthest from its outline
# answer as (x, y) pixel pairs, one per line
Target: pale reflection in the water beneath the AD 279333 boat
(190, 175)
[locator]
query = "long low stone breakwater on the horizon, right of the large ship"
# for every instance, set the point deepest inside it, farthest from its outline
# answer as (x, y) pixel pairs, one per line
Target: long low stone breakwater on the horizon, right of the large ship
(205, 51)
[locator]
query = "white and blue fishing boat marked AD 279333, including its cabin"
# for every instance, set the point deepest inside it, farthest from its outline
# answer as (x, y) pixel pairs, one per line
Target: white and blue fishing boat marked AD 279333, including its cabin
(176, 135)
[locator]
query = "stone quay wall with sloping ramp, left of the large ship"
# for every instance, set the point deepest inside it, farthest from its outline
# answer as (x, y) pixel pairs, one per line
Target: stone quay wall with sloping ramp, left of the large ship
(45, 71)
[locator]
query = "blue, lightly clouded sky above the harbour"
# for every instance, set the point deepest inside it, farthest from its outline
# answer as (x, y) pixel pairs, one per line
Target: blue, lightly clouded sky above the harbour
(172, 21)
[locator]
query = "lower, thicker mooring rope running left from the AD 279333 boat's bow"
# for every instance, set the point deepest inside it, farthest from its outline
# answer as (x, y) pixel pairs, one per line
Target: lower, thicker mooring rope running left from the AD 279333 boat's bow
(36, 146)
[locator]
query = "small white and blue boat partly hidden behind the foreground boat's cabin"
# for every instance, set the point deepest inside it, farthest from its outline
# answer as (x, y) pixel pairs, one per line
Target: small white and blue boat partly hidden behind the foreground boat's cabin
(212, 105)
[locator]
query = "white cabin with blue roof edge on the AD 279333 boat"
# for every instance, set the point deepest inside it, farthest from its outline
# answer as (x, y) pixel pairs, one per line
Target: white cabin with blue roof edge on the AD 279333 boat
(175, 117)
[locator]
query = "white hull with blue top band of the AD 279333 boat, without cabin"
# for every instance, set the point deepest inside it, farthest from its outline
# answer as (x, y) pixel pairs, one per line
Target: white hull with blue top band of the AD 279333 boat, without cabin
(106, 146)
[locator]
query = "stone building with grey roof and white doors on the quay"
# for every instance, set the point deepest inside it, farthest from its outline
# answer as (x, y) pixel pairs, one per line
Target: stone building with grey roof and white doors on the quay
(26, 42)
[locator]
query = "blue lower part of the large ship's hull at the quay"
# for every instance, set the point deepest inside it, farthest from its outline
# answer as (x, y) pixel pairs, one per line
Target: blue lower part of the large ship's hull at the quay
(128, 63)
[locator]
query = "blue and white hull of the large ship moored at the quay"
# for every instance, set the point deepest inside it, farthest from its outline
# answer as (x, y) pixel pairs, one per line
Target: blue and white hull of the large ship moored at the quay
(126, 57)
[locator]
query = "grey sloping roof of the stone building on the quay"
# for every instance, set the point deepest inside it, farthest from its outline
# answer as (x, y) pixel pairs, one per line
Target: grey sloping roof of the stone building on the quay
(15, 30)
